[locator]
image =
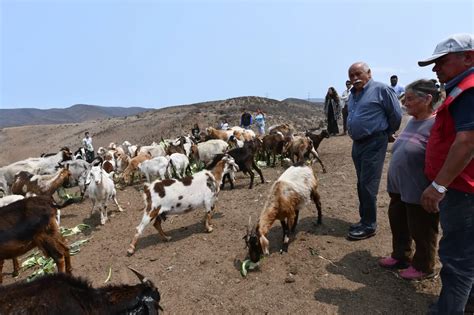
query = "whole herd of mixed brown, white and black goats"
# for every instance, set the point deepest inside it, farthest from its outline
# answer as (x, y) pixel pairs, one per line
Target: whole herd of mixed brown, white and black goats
(30, 216)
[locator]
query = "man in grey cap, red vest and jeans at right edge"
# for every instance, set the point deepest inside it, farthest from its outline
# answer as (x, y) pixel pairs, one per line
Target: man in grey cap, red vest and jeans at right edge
(450, 167)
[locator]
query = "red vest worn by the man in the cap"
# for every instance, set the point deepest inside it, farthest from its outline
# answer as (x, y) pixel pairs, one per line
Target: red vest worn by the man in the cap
(442, 137)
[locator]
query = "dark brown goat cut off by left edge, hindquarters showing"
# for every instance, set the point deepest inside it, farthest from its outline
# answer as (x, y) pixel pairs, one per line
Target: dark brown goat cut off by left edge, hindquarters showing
(30, 223)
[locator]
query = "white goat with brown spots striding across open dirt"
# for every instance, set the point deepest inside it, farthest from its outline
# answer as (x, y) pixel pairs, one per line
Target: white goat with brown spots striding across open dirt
(170, 196)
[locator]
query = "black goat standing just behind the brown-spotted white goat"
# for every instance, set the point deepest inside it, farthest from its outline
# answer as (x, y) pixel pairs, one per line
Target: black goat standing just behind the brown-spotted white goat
(244, 158)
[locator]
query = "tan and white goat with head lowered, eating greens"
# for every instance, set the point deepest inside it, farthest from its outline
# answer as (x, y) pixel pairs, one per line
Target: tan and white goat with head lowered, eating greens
(290, 193)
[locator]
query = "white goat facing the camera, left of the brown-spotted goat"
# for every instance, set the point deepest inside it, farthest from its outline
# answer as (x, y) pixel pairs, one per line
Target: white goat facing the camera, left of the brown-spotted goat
(100, 189)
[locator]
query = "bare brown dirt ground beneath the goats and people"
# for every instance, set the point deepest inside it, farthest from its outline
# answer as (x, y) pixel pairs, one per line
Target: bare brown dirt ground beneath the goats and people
(197, 272)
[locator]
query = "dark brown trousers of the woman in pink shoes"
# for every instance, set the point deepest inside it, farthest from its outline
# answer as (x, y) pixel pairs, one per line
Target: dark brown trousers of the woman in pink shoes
(410, 222)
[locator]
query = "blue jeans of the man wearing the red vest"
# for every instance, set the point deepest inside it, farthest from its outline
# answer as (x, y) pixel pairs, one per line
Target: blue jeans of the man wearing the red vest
(456, 251)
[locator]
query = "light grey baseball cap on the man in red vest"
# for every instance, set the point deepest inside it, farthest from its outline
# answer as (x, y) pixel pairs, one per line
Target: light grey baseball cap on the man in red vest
(454, 43)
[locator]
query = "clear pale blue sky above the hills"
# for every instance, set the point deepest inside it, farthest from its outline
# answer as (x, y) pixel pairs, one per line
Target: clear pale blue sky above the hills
(54, 54)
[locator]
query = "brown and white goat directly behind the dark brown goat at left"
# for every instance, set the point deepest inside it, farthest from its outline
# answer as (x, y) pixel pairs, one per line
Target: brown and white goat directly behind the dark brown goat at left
(26, 182)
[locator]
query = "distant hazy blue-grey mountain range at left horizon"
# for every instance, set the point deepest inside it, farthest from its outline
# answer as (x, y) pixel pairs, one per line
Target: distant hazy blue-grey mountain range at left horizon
(74, 114)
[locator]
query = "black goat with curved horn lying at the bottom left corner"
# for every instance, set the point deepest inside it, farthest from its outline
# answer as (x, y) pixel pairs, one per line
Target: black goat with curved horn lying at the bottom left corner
(64, 294)
